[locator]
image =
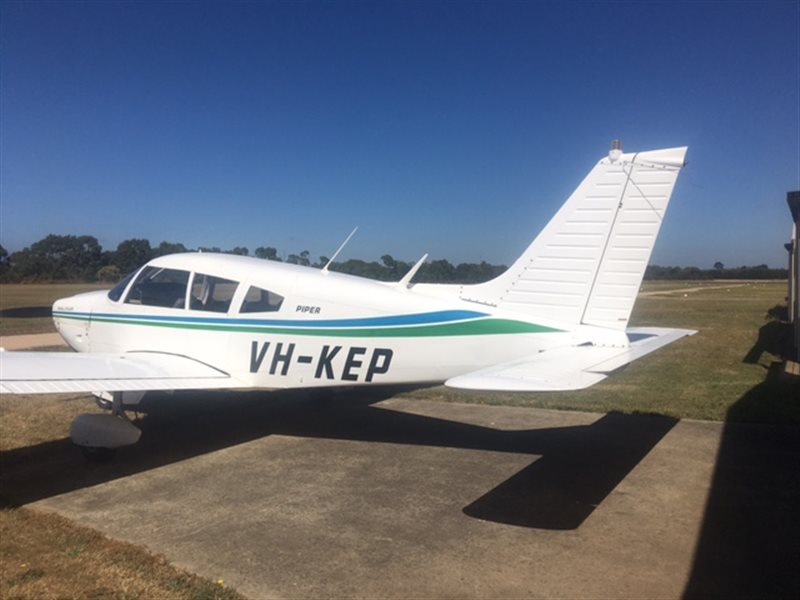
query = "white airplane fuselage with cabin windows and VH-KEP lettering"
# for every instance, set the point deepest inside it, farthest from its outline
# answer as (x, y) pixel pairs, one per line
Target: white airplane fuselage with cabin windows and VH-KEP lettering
(329, 329)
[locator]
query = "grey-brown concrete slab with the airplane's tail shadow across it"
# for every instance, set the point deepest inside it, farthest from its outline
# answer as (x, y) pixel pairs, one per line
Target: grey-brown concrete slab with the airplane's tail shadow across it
(423, 499)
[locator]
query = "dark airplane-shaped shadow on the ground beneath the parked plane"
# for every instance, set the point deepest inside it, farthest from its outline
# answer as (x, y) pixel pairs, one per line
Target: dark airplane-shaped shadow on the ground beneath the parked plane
(572, 472)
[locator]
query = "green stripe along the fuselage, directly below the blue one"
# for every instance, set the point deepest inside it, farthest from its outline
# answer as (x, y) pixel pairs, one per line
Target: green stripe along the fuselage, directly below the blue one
(475, 327)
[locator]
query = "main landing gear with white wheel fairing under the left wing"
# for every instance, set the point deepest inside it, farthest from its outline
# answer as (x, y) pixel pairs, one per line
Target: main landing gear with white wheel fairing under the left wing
(99, 435)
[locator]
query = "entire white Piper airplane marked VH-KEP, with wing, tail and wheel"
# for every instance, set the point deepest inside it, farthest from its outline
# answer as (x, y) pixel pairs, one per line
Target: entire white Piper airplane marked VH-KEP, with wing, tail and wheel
(556, 320)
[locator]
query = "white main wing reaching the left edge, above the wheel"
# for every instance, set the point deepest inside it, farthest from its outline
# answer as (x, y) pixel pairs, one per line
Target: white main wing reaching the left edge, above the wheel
(53, 372)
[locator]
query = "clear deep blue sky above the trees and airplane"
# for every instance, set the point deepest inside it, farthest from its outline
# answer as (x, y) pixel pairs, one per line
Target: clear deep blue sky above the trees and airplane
(453, 128)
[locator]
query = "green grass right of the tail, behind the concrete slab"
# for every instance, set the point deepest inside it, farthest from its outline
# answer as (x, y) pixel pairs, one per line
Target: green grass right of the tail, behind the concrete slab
(701, 377)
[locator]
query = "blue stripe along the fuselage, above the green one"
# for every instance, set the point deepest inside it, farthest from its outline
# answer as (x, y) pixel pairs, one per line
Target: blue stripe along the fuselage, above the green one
(444, 316)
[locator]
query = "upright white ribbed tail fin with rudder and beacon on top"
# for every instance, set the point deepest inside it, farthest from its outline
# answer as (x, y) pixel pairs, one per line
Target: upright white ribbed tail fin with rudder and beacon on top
(587, 265)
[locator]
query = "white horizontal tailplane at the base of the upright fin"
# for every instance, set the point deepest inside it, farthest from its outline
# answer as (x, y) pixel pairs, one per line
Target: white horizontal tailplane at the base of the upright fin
(570, 368)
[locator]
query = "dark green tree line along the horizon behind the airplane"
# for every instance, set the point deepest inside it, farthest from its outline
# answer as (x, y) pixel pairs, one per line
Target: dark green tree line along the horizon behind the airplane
(70, 258)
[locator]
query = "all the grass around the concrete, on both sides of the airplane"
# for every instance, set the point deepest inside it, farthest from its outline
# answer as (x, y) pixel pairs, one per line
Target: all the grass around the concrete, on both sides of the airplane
(702, 377)
